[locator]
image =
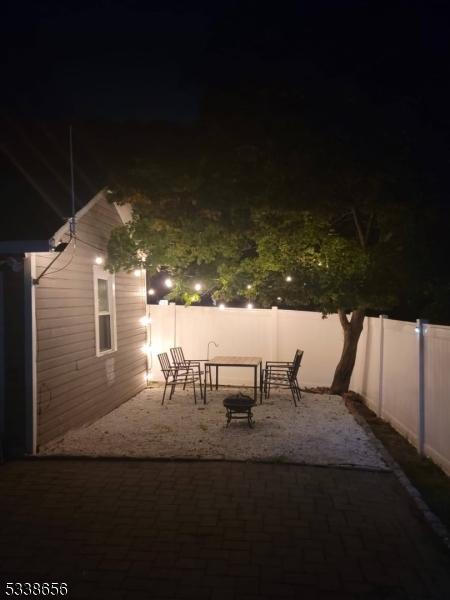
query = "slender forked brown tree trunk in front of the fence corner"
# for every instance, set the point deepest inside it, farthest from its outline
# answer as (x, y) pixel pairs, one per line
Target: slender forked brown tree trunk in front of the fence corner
(352, 330)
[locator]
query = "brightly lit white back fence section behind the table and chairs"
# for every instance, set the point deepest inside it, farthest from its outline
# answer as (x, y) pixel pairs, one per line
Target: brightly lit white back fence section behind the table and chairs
(272, 334)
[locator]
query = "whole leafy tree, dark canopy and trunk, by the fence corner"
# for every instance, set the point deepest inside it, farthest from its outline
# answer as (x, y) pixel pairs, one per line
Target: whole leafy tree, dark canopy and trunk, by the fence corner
(246, 205)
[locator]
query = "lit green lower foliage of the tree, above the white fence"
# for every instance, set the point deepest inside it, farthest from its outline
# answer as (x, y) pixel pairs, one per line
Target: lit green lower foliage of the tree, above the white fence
(330, 269)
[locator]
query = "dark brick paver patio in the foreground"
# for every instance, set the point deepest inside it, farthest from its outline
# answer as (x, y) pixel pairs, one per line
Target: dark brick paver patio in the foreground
(214, 530)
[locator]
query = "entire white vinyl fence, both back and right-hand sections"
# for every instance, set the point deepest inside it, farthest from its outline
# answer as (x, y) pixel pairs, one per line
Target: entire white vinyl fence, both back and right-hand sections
(402, 369)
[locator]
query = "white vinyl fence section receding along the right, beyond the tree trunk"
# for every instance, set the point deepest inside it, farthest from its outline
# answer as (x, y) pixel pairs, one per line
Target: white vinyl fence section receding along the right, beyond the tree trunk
(403, 372)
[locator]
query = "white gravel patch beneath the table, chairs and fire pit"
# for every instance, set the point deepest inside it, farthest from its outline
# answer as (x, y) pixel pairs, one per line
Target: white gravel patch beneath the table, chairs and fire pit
(320, 431)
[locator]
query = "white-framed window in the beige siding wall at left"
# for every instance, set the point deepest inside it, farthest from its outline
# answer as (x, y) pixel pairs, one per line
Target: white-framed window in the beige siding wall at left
(105, 312)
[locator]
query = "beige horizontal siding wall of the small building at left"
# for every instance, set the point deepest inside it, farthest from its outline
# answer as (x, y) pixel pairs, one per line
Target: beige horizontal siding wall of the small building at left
(74, 386)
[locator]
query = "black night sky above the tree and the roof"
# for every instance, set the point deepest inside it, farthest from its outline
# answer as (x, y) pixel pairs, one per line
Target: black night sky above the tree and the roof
(108, 67)
